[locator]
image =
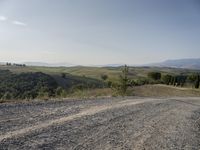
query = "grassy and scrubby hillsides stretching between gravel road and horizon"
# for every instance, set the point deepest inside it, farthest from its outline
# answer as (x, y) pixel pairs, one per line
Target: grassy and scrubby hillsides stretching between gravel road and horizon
(19, 82)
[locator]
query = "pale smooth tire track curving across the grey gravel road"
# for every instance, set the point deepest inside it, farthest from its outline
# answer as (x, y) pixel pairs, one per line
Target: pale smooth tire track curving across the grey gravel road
(91, 111)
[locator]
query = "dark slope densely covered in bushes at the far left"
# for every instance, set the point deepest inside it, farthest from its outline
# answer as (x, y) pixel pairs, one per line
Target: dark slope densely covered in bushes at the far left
(26, 85)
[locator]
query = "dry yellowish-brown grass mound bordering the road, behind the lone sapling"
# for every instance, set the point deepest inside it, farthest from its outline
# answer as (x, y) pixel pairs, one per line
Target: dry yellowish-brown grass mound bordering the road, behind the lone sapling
(157, 91)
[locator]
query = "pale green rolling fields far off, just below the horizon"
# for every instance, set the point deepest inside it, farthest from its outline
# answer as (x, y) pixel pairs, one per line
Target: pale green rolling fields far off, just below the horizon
(96, 72)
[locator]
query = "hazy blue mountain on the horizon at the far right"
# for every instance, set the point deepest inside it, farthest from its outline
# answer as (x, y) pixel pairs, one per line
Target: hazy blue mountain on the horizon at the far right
(179, 63)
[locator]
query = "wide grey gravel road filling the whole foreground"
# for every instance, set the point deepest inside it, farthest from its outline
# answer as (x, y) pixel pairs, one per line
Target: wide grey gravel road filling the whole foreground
(115, 123)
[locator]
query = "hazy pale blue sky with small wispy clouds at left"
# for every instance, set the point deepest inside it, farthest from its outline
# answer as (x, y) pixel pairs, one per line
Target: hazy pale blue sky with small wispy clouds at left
(89, 32)
